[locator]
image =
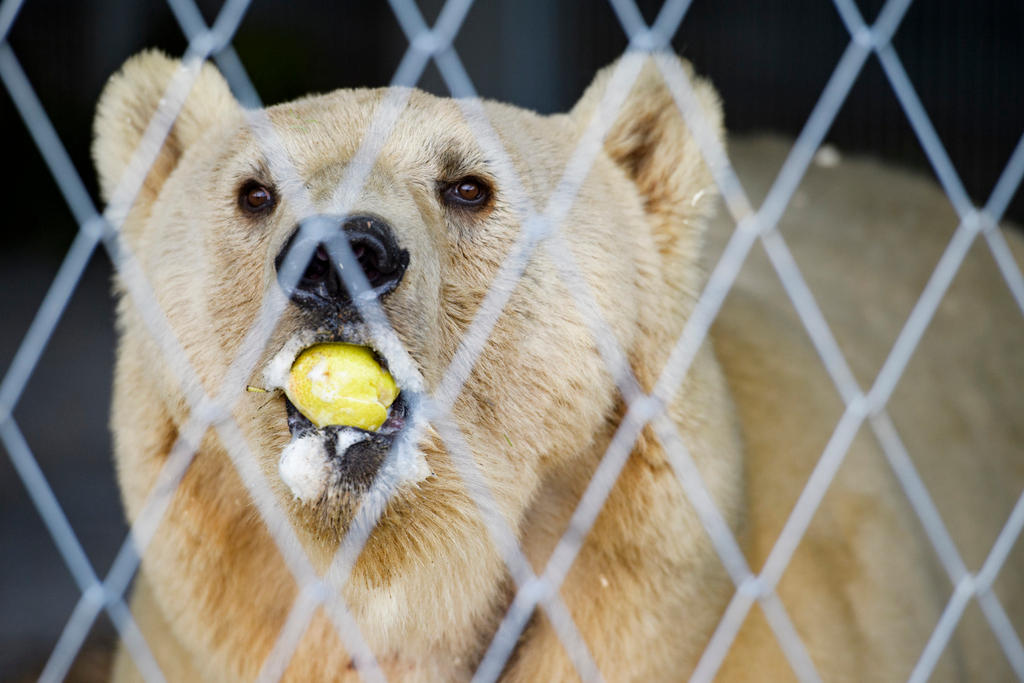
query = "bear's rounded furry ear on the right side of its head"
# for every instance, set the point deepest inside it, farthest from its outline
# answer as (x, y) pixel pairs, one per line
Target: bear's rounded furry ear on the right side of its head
(652, 143)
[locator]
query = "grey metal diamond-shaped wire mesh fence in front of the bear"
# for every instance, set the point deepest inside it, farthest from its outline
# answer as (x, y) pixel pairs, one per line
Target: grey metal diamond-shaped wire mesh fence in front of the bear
(540, 231)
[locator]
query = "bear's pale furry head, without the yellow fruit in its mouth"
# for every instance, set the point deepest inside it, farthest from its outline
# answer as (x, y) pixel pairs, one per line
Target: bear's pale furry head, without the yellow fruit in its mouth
(240, 234)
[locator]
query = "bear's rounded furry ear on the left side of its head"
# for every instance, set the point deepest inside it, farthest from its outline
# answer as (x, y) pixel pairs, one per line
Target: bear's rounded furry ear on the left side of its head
(129, 103)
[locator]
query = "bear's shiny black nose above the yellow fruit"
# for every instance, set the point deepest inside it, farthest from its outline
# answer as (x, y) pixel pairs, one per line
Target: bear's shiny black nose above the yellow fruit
(374, 248)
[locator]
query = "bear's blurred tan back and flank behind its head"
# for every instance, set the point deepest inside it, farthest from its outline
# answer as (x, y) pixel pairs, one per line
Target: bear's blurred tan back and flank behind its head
(867, 238)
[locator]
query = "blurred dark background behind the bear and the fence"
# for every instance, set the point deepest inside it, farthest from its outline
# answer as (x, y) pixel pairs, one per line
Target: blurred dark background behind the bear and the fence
(770, 63)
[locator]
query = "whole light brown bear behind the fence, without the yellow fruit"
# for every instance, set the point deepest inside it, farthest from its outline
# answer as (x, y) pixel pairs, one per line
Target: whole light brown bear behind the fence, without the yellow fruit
(432, 227)
